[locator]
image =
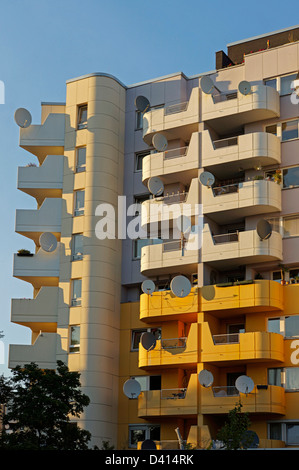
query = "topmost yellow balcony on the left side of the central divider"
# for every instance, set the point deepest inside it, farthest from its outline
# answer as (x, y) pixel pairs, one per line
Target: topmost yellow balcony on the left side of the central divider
(166, 306)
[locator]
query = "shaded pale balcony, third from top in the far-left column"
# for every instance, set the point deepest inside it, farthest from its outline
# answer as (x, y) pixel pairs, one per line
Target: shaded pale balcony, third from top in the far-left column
(33, 222)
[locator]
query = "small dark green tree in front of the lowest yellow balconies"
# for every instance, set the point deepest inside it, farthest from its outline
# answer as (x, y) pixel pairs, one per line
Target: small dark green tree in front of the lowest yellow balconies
(234, 434)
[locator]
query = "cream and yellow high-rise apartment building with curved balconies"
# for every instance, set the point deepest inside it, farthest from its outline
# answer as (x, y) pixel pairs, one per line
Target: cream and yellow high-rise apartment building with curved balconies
(96, 155)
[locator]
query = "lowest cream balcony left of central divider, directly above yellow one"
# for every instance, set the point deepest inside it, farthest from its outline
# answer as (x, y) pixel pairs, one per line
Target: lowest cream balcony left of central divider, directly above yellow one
(169, 257)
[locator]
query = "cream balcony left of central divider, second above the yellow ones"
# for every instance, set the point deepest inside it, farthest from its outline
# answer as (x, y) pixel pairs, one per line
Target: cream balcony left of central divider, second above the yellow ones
(170, 206)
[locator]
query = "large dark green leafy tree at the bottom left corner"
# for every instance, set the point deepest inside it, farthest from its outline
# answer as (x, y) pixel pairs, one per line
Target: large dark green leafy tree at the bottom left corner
(39, 405)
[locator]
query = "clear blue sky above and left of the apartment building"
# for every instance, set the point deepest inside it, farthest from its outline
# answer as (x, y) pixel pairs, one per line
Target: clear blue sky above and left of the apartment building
(43, 43)
